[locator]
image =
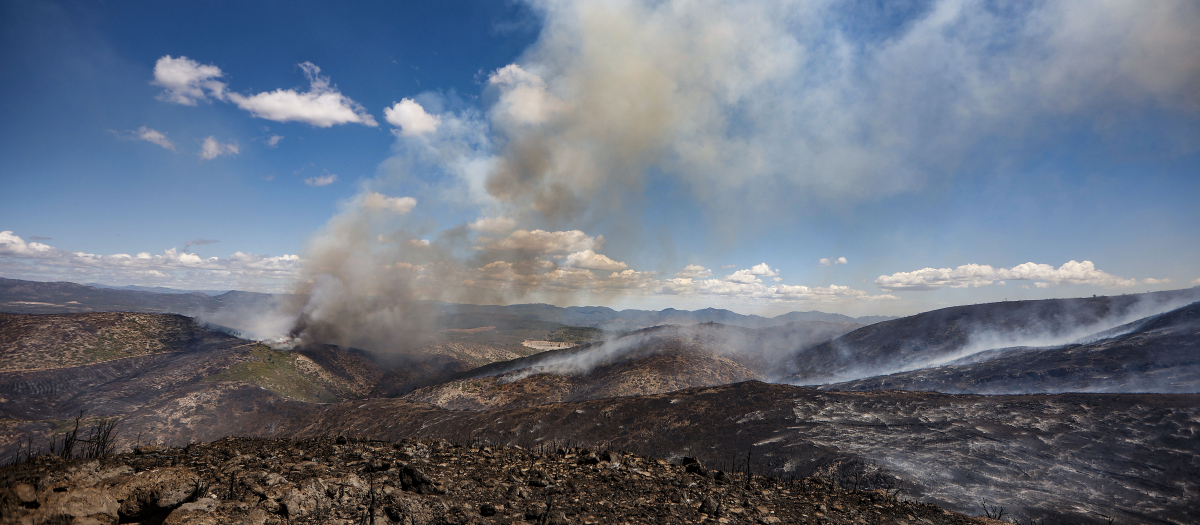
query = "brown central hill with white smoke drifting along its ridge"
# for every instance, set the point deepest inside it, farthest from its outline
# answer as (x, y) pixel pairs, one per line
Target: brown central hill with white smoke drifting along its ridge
(650, 361)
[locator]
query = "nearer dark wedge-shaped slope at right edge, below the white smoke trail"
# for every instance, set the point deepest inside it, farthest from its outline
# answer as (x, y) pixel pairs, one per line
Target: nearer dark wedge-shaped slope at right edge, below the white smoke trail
(1159, 354)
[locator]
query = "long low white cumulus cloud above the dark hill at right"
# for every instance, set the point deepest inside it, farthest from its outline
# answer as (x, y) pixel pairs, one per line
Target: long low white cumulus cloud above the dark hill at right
(974, 275)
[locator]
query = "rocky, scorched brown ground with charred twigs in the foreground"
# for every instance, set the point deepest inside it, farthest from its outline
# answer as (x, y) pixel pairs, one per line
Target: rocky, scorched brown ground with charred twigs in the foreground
(340, 481)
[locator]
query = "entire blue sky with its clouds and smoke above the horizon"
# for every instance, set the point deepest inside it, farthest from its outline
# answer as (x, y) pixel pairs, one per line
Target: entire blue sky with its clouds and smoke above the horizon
(626, 154)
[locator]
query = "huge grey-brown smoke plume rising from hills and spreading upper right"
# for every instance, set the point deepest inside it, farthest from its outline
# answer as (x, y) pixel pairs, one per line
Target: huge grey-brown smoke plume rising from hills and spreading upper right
(755, 107)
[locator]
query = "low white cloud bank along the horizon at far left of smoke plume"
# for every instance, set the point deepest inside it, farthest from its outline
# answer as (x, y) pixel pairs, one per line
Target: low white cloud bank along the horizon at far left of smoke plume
(35, 261)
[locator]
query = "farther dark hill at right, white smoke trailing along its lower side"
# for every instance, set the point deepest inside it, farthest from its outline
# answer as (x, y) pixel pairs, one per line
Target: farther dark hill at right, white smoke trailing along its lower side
(934, 339)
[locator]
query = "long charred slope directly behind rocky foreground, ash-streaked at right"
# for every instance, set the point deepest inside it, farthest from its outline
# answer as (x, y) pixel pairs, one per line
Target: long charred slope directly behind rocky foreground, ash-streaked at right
(1075, 458)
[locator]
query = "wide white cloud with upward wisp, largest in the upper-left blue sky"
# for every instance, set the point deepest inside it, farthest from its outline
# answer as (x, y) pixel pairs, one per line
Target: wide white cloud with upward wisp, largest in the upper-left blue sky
(322, 106)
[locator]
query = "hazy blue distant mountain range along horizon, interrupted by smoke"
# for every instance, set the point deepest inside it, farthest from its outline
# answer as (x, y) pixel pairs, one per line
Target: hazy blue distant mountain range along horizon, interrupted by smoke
(40, 298)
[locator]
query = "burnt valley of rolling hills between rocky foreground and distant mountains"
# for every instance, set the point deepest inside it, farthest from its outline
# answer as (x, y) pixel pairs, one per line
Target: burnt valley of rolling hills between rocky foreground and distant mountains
(970, 418)
